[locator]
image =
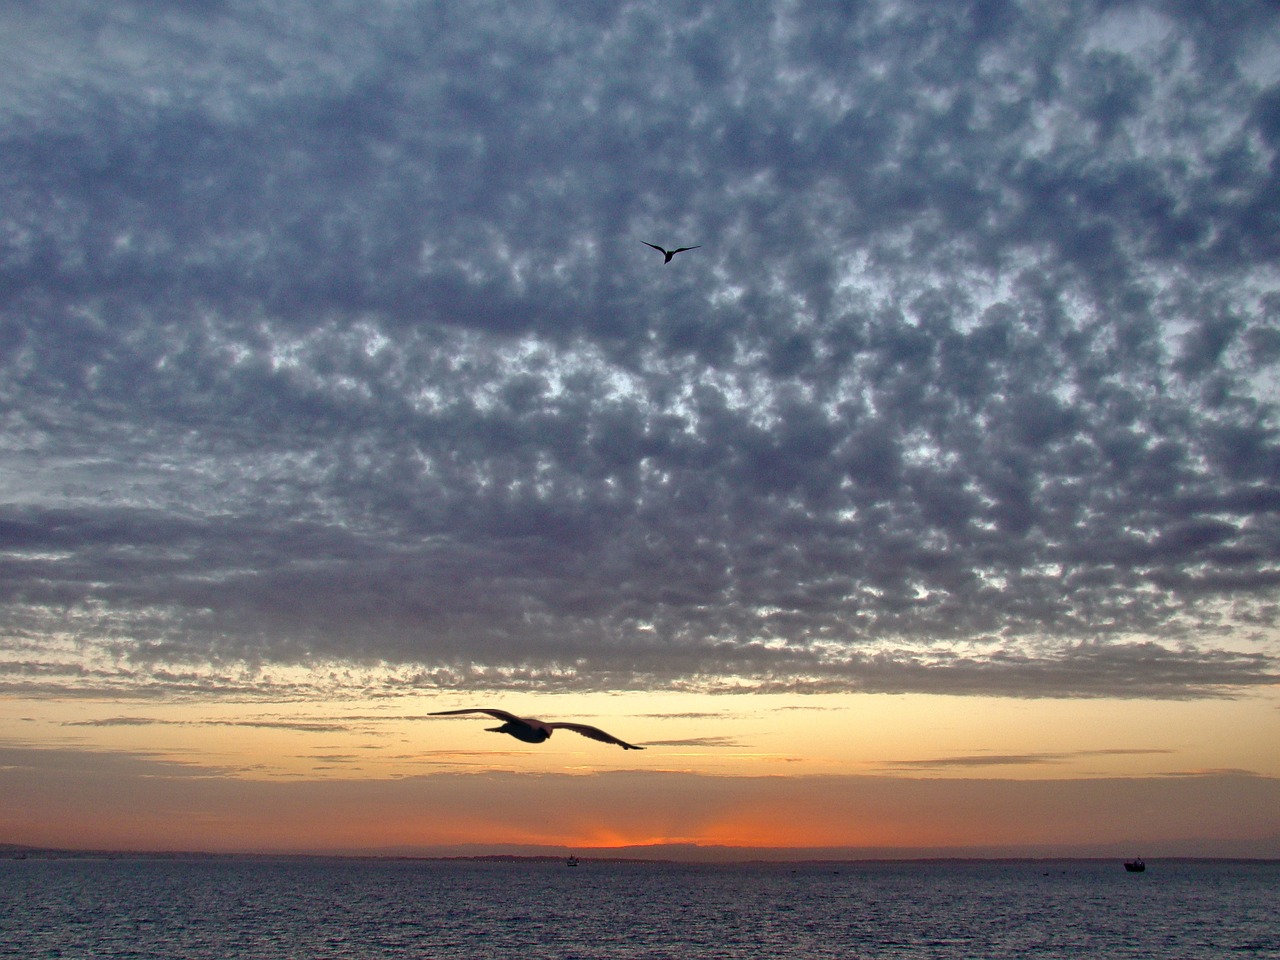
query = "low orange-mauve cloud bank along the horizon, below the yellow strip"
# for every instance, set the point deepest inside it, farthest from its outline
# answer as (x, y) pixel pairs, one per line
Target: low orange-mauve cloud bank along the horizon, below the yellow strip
(143, 803)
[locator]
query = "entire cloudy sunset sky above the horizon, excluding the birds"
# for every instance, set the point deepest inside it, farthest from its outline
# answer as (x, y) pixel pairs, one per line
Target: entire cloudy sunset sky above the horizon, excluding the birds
(930, 505)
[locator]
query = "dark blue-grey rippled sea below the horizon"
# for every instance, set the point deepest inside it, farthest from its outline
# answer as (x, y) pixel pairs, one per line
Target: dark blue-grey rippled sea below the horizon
(264, 909)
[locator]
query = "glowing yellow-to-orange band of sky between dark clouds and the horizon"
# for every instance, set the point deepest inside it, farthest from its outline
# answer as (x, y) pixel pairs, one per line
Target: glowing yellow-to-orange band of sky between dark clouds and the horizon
(867, 774)
